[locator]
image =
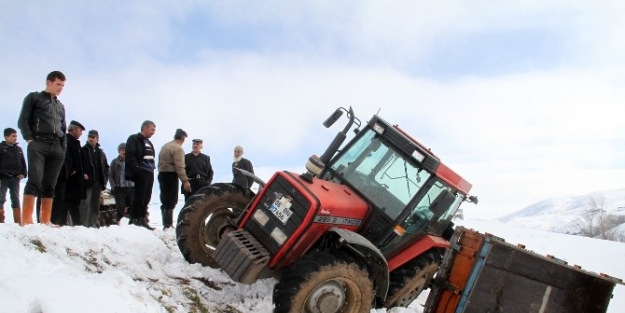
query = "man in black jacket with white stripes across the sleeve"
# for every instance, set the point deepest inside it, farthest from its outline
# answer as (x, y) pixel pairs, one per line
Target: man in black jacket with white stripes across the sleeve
(140, 167)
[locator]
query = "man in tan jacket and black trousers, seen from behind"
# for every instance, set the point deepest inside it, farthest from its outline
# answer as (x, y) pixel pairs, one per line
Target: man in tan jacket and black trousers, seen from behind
(171, 167)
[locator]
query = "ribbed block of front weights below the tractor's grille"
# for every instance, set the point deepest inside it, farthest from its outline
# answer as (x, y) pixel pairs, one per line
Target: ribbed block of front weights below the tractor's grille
(241, 256)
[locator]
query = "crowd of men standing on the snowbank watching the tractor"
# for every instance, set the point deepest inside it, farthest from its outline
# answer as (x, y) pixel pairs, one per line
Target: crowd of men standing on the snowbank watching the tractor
(65, 180)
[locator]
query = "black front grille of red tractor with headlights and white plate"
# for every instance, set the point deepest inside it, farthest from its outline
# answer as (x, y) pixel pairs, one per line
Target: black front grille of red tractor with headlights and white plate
(299, 206)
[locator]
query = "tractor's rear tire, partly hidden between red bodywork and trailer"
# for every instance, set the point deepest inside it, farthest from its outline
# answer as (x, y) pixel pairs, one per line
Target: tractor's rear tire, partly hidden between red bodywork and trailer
(408, 281)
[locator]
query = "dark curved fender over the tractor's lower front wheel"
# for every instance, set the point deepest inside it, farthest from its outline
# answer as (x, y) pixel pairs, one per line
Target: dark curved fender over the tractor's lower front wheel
(368, 253)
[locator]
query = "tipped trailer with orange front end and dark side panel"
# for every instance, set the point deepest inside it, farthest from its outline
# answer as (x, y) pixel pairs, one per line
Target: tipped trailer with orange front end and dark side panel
(483, 273)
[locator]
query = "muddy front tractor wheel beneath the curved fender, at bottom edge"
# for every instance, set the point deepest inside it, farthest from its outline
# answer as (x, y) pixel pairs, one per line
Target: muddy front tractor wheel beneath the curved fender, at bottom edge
(324, 282)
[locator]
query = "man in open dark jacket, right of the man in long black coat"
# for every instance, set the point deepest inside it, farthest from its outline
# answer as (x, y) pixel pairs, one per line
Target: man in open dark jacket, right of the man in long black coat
(96, 177)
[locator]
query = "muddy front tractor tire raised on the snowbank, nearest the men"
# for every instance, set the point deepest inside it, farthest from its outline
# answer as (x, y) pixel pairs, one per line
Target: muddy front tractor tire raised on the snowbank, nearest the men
(206, 216)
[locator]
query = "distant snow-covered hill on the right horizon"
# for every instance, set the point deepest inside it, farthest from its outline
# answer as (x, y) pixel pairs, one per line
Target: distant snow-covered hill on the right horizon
(560, 214)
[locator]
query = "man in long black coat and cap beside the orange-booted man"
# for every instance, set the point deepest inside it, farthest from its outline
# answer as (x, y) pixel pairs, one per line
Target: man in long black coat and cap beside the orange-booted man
(70, 186)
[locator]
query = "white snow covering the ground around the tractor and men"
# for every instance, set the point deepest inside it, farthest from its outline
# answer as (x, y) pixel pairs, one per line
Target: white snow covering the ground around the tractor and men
(130, 269)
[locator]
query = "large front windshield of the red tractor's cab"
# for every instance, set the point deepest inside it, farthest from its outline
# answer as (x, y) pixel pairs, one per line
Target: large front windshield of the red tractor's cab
(381, 173)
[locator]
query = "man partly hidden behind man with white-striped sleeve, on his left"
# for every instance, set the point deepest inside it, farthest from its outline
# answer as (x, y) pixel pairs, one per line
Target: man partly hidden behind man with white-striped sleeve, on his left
(123, 190)
